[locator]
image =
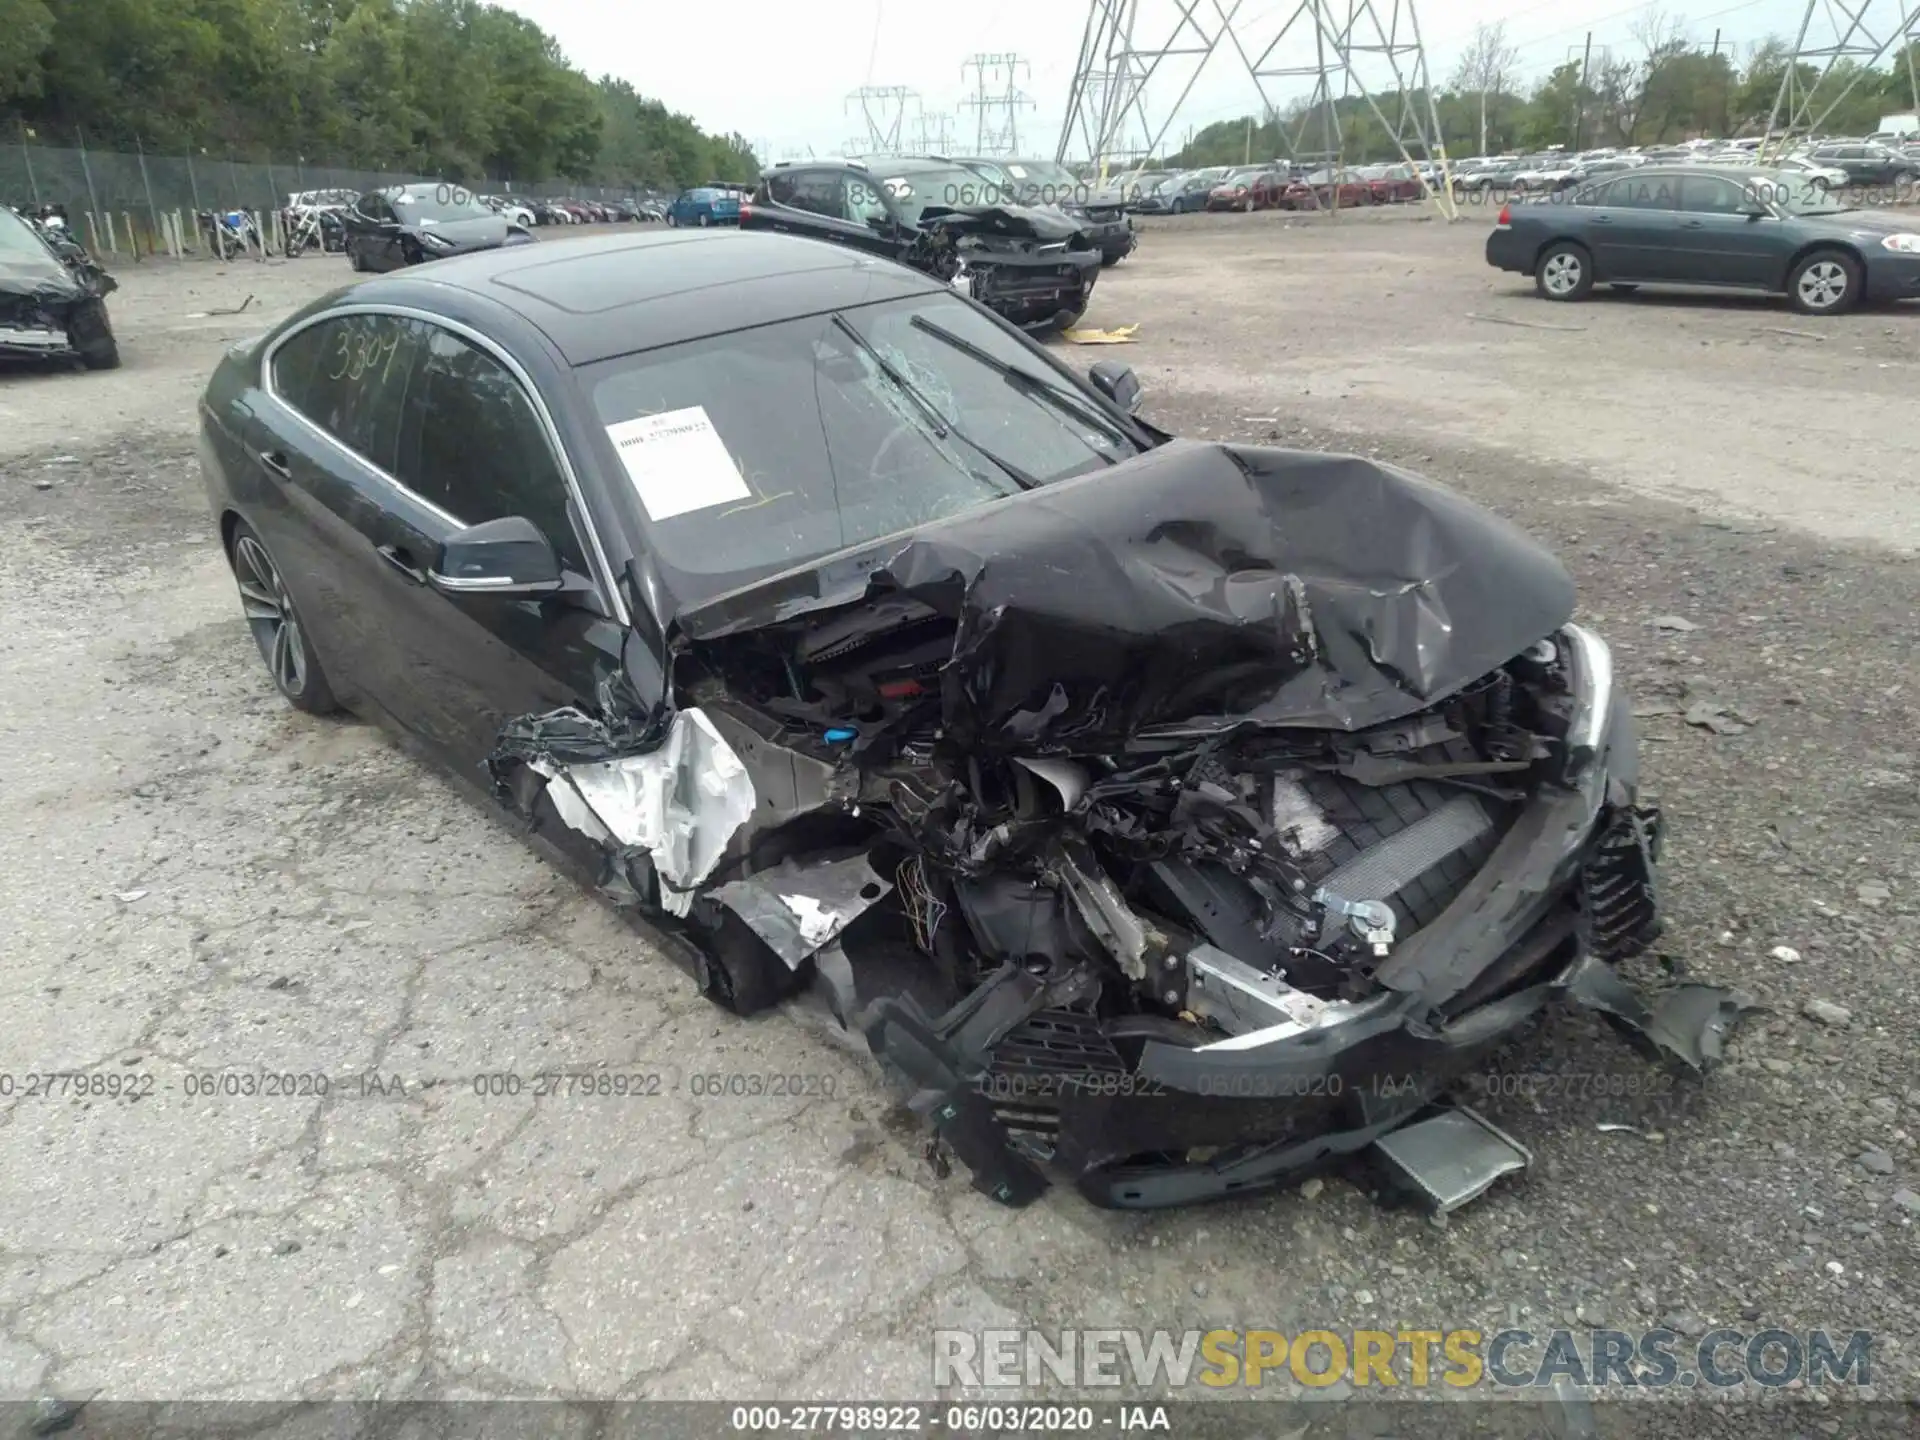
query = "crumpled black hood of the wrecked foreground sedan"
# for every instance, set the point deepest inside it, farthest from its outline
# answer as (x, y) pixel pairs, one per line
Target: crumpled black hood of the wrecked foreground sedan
(1205, 587)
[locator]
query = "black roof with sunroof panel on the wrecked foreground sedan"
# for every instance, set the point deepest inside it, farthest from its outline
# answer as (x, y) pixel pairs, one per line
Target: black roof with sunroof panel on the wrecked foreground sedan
(606, 297)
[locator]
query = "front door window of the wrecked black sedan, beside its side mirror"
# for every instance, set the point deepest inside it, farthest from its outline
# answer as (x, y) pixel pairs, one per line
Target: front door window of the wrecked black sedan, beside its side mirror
(473, 444)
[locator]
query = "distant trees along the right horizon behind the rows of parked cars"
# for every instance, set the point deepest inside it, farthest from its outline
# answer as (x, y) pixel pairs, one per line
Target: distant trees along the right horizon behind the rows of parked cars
(1656, 91)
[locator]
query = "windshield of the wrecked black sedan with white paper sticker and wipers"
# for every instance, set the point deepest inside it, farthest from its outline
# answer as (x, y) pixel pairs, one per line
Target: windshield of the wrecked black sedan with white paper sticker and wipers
(767, 448)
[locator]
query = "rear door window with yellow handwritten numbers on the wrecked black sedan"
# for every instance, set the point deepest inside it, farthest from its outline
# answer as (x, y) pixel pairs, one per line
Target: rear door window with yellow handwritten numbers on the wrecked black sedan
(350, 377)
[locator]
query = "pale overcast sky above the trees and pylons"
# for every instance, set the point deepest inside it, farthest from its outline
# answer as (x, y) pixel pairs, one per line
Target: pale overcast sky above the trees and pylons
(780, 74)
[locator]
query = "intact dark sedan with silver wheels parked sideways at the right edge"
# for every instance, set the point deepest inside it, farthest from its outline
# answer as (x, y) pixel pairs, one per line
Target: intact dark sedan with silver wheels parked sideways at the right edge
(1712, 226)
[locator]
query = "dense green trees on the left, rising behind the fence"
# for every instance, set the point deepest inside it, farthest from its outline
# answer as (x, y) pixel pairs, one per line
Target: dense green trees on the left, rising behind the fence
(435, 87)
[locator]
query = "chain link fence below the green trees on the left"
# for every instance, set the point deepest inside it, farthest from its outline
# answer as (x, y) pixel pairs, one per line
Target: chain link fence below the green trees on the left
(133, 204)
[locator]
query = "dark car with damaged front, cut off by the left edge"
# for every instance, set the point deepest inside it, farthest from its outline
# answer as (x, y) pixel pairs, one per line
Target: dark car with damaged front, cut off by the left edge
(53, 297)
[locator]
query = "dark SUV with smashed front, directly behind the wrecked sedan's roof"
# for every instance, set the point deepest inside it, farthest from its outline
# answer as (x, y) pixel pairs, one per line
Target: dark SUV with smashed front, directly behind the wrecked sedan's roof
(1034, 268)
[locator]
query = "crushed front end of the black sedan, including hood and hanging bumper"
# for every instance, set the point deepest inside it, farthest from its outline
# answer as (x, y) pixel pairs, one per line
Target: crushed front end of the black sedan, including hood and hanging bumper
(1180, 830)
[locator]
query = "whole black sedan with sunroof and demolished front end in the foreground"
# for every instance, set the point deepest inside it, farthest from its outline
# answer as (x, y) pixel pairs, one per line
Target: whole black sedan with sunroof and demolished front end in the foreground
(1176, 817)
